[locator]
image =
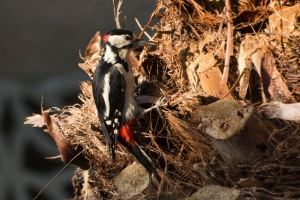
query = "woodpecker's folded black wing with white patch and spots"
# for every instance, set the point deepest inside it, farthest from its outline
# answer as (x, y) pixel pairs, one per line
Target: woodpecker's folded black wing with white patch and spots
(109, 94)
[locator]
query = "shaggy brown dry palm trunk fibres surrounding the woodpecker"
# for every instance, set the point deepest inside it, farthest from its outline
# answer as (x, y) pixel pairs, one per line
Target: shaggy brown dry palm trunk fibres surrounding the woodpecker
(187, 67)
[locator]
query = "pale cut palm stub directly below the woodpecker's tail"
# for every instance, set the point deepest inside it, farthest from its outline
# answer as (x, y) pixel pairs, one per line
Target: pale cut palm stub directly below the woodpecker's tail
(132, 181)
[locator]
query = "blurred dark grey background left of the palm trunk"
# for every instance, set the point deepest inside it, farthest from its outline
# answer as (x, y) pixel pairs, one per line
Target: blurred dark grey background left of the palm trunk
(39, 44)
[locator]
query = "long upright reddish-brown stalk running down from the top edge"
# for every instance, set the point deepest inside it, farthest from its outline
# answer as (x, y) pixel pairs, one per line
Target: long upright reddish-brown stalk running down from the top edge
(229, 46)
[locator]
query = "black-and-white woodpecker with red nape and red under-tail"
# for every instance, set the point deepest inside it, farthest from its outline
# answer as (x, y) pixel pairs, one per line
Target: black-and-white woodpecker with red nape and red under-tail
(113, 90)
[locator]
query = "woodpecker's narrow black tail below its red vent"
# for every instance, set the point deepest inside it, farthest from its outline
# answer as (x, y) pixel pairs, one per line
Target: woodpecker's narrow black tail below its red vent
(142, 157)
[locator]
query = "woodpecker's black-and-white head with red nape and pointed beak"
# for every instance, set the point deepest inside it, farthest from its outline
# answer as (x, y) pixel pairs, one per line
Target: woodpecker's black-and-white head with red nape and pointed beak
(118, 43)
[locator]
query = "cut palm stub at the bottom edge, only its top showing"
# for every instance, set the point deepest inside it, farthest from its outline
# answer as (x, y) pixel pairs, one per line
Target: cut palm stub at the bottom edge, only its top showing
(215, 192)
